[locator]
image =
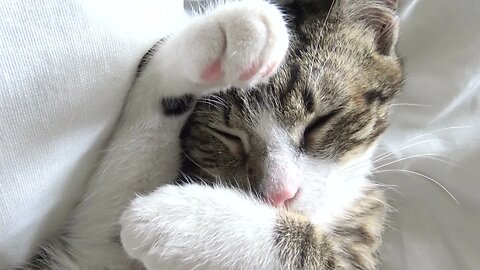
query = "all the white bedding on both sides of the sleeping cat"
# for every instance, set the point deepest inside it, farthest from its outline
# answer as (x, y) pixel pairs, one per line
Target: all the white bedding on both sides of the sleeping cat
(66, 65)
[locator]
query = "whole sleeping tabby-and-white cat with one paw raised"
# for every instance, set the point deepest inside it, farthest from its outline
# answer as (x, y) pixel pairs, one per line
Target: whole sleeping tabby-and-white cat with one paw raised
(274, 171)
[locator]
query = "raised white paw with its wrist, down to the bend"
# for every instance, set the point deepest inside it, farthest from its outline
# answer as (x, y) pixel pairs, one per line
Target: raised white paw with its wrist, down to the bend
(239, 43)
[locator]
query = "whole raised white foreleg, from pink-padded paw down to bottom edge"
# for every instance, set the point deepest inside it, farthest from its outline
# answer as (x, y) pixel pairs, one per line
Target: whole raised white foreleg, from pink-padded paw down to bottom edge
(239, 43)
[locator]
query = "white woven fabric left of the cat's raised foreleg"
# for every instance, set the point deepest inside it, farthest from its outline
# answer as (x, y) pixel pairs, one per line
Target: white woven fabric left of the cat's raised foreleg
(65, 68)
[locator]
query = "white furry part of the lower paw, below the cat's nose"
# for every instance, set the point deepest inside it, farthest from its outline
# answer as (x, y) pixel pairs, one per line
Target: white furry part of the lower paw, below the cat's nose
(180, 226)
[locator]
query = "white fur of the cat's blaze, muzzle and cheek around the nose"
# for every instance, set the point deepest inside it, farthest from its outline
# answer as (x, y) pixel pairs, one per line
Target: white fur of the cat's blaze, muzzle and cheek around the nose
(326, 189)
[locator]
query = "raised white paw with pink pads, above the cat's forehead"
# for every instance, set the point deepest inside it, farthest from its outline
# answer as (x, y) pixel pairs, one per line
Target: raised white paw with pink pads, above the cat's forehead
(239, 44)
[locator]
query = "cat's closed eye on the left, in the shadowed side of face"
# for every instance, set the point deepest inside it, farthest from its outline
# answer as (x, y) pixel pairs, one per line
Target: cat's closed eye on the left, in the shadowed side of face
(232, 139)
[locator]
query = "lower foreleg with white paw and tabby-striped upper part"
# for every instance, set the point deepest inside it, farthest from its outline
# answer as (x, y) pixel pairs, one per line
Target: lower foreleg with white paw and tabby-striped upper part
(200, 227)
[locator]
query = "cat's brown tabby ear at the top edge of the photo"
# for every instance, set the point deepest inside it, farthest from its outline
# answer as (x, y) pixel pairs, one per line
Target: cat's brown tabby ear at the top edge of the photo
(380, 15)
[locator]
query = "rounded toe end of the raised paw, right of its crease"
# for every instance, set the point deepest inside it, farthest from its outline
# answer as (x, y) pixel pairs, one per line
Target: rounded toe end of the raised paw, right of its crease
(257, 41)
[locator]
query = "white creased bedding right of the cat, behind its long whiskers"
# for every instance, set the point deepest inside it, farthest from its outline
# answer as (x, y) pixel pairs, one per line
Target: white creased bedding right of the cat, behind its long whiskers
(438, 114)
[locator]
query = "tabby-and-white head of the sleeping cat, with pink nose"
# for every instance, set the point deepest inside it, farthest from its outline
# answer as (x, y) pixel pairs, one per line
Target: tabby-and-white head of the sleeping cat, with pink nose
(308, 135)
